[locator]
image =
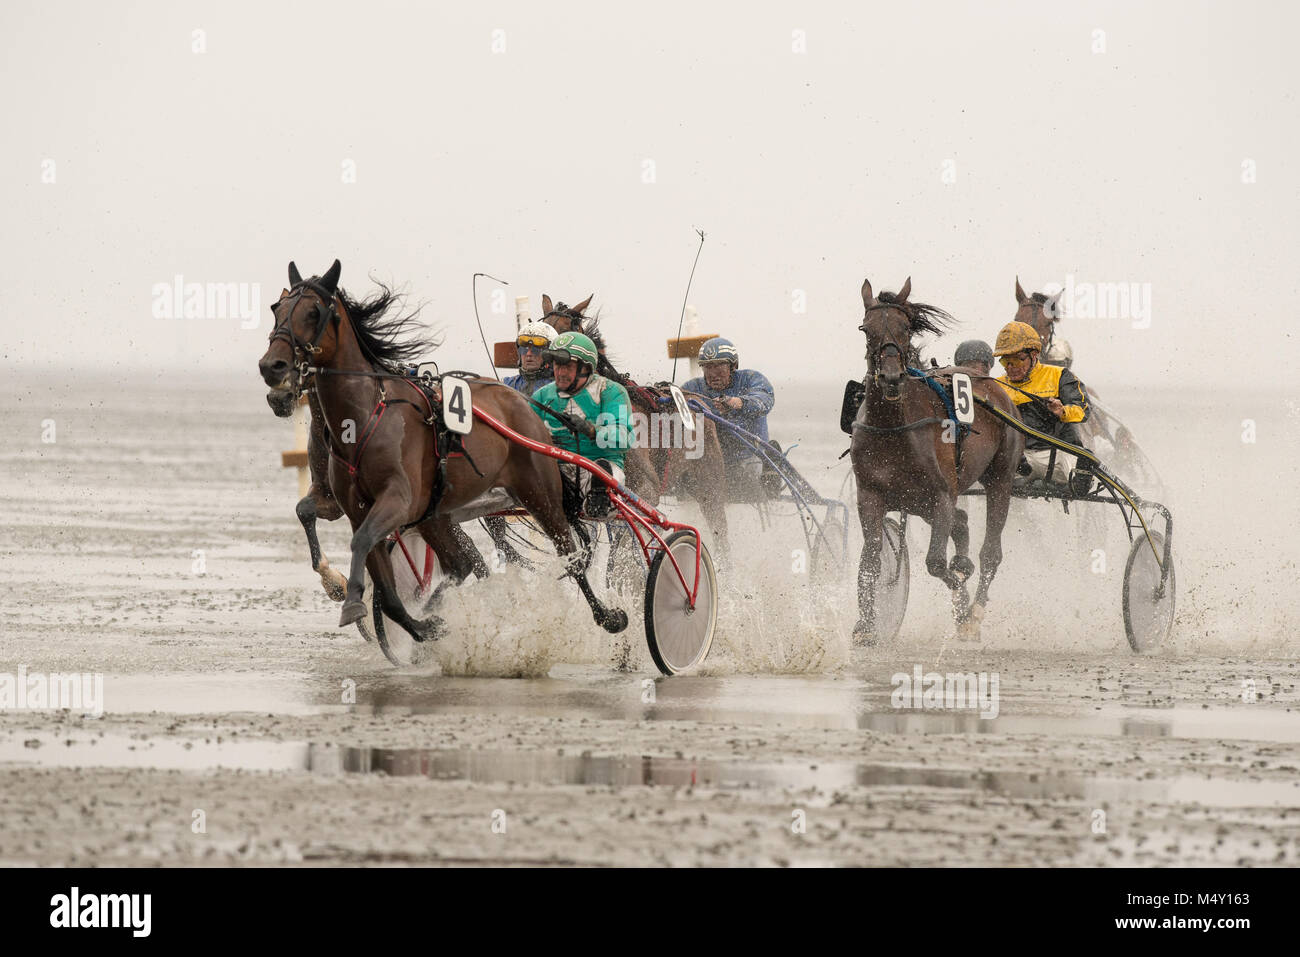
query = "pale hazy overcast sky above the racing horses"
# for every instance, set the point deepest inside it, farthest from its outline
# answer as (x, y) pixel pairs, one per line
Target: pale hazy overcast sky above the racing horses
(816, 144)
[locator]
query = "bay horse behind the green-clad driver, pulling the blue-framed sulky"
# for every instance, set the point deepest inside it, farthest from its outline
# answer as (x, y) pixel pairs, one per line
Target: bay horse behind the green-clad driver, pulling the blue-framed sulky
(657, 471)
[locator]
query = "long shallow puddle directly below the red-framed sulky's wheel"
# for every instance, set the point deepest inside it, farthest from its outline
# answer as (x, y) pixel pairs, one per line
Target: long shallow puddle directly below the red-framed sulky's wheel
(753, 701)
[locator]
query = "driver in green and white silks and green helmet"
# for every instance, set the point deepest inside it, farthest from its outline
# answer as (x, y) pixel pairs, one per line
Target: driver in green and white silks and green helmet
(601, 410)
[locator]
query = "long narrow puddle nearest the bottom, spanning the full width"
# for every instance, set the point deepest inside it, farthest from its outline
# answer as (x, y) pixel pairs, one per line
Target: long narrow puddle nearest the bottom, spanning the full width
(584, 770)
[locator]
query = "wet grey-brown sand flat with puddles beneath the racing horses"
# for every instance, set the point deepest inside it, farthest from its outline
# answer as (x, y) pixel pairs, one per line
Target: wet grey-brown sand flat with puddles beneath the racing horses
(155, 543)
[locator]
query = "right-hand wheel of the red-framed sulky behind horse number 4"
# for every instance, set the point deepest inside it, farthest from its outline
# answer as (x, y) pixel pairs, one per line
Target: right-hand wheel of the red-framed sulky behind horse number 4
(681, 636)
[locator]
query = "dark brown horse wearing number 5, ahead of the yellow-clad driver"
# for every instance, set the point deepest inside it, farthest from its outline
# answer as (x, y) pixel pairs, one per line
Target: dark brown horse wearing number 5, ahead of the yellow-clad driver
(905, 460)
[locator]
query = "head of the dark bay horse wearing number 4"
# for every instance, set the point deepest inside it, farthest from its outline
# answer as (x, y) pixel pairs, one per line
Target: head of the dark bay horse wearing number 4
(300, 336)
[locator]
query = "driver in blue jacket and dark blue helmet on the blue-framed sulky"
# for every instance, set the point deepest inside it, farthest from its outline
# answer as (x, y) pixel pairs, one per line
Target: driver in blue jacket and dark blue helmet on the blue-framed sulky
(743, 397)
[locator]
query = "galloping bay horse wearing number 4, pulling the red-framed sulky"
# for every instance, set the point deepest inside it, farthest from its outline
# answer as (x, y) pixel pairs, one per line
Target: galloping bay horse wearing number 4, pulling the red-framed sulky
(396, 478)
